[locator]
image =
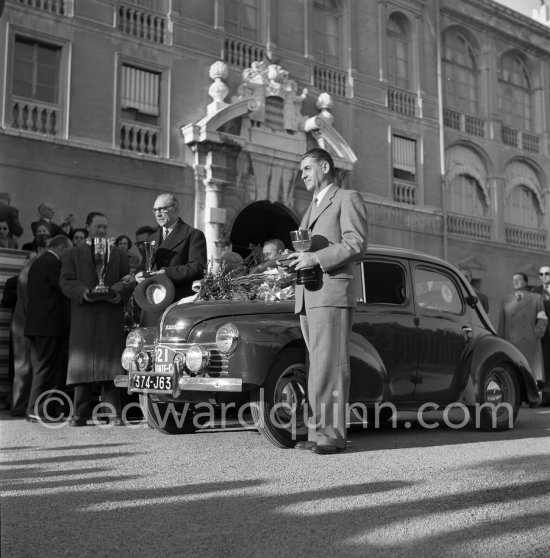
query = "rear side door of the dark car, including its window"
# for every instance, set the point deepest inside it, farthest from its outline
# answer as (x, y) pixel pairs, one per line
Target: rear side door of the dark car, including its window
(444, 330)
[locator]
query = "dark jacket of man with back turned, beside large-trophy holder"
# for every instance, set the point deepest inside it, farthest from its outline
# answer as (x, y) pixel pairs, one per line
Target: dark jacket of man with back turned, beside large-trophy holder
(48, 310)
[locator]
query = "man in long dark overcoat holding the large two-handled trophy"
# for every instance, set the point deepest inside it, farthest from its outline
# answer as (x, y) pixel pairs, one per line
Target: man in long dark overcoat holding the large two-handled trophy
(96, 340)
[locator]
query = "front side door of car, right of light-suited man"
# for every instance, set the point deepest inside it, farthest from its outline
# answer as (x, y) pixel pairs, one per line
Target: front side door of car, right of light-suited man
(384, 320)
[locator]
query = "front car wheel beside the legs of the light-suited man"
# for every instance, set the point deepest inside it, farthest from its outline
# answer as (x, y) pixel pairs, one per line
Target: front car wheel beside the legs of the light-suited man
(278, 406)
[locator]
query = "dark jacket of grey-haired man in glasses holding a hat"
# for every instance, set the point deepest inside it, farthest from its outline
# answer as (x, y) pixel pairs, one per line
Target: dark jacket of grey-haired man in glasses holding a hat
(182, 255)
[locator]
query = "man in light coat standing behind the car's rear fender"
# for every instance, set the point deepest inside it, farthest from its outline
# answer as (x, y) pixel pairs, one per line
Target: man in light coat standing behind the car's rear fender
(522, 322)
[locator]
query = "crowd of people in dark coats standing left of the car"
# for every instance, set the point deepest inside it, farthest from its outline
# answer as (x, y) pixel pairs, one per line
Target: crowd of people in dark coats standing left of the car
(63, 335)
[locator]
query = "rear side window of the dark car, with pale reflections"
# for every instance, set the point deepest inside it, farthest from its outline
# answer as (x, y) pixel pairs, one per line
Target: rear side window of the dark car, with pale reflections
(436, 291)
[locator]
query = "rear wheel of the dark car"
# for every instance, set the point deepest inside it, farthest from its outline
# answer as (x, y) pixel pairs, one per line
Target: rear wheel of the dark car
(499, 400)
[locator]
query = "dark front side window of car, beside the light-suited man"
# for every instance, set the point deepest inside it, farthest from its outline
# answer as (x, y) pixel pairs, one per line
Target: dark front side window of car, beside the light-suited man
(384, 283)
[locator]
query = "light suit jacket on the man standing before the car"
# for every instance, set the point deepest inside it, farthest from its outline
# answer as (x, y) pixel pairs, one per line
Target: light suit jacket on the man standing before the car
(339, 238)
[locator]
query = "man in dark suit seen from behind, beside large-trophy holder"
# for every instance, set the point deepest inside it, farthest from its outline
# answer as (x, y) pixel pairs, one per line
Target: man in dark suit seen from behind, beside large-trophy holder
(47, 325)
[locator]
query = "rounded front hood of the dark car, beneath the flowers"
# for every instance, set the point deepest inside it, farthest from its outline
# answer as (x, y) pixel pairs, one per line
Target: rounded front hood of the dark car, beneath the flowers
(179, 319)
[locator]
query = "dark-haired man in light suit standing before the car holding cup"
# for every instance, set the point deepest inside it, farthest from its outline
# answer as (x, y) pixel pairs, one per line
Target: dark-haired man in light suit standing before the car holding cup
(337, 220)
